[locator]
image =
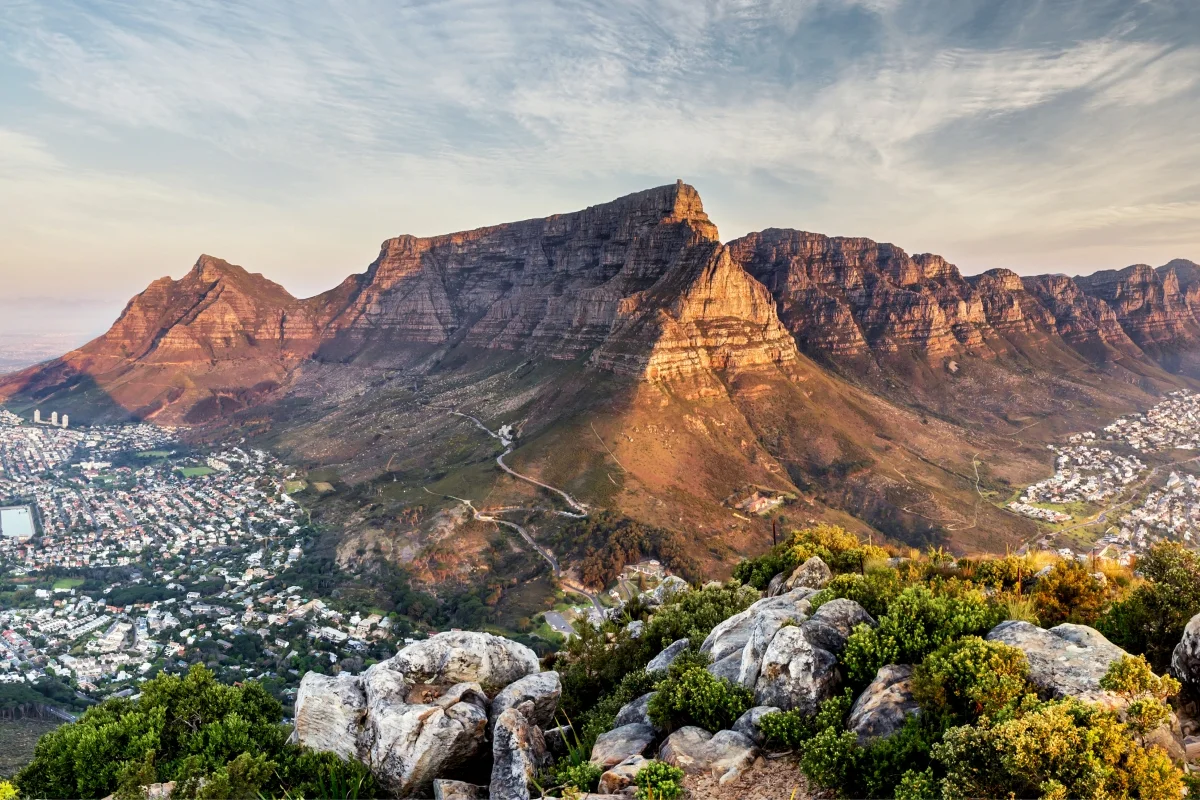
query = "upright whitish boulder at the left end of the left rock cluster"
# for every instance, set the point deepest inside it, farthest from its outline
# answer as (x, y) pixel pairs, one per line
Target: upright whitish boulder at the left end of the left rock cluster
(329, 713)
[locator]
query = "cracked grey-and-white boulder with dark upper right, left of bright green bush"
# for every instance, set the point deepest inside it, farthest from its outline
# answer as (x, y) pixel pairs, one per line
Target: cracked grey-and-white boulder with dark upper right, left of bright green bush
(800, 667)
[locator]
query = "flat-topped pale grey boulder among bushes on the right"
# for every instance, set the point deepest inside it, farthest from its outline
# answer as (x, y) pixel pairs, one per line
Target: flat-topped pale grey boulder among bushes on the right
(1066, 661)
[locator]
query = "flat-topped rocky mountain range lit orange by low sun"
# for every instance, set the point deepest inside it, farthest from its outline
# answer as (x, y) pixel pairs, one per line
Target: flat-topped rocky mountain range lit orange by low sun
(651, 370)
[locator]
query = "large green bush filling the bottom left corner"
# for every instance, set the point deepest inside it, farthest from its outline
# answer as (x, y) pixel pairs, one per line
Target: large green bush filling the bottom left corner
(190, 730)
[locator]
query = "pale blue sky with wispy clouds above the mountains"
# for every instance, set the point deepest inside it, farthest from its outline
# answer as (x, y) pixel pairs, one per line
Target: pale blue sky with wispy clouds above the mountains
(295, 136)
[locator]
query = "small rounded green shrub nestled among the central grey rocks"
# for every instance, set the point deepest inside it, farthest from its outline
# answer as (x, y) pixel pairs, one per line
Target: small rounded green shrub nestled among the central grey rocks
(694, 696)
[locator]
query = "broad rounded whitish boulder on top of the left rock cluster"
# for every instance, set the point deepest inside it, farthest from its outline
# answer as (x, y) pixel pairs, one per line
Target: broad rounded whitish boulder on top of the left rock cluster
(491, 661)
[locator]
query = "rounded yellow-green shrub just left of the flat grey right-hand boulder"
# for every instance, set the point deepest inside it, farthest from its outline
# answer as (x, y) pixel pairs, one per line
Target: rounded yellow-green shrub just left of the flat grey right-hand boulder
(969, 678)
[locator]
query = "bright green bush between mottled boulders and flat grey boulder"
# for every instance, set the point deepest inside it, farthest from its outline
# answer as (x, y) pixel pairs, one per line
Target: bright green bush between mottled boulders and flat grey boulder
(917, 623)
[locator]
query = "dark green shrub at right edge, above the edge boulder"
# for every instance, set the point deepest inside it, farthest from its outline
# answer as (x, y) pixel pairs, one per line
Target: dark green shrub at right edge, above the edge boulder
(1153, 618)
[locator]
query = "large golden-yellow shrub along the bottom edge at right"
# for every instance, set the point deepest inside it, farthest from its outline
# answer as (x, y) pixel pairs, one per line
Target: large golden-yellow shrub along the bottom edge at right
(1064, 749)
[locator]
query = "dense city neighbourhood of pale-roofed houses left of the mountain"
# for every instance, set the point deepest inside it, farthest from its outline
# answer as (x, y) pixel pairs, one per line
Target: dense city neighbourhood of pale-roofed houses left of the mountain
(148, 557)
